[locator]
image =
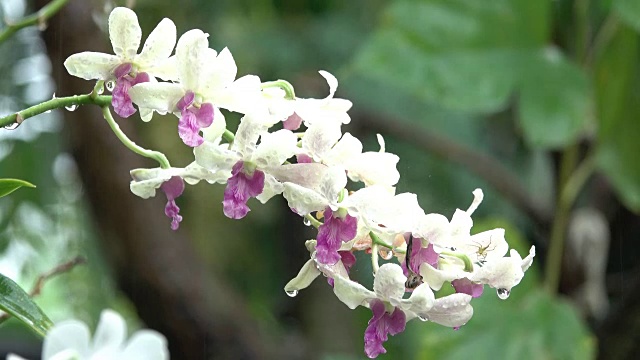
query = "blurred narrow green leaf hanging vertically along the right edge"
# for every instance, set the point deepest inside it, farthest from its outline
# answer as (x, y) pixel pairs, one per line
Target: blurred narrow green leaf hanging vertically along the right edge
(618, 96)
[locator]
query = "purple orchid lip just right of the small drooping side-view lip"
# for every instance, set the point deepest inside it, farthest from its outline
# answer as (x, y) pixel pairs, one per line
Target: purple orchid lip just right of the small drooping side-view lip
(245, 182)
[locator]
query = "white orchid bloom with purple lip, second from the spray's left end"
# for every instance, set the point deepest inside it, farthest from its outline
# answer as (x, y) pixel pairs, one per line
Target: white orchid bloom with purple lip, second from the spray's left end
(206, 82)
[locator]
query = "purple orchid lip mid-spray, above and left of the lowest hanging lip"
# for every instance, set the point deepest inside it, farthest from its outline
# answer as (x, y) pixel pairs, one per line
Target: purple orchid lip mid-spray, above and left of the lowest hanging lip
(332, 234)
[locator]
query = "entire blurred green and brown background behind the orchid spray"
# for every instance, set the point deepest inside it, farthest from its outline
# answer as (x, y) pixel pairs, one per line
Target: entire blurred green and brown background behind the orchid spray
(535, 102)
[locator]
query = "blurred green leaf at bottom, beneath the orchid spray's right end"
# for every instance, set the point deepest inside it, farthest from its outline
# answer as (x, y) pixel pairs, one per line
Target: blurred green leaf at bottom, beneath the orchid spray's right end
(537, 327)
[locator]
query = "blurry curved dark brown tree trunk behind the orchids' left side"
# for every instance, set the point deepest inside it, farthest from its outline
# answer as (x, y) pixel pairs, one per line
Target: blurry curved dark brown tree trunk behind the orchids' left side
(157, 268)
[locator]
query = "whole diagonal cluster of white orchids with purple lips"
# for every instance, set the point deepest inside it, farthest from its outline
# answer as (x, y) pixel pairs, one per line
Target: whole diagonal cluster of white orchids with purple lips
(295, 147)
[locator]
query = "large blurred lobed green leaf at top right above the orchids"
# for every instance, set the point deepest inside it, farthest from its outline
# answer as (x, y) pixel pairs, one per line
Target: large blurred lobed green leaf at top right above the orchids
(473, 56)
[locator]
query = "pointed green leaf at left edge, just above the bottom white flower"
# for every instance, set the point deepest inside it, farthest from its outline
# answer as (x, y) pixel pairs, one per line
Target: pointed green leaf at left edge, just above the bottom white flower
(18, 303)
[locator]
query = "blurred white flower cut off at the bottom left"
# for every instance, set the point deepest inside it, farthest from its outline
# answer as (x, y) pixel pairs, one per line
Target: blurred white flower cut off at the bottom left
(71, 340)
